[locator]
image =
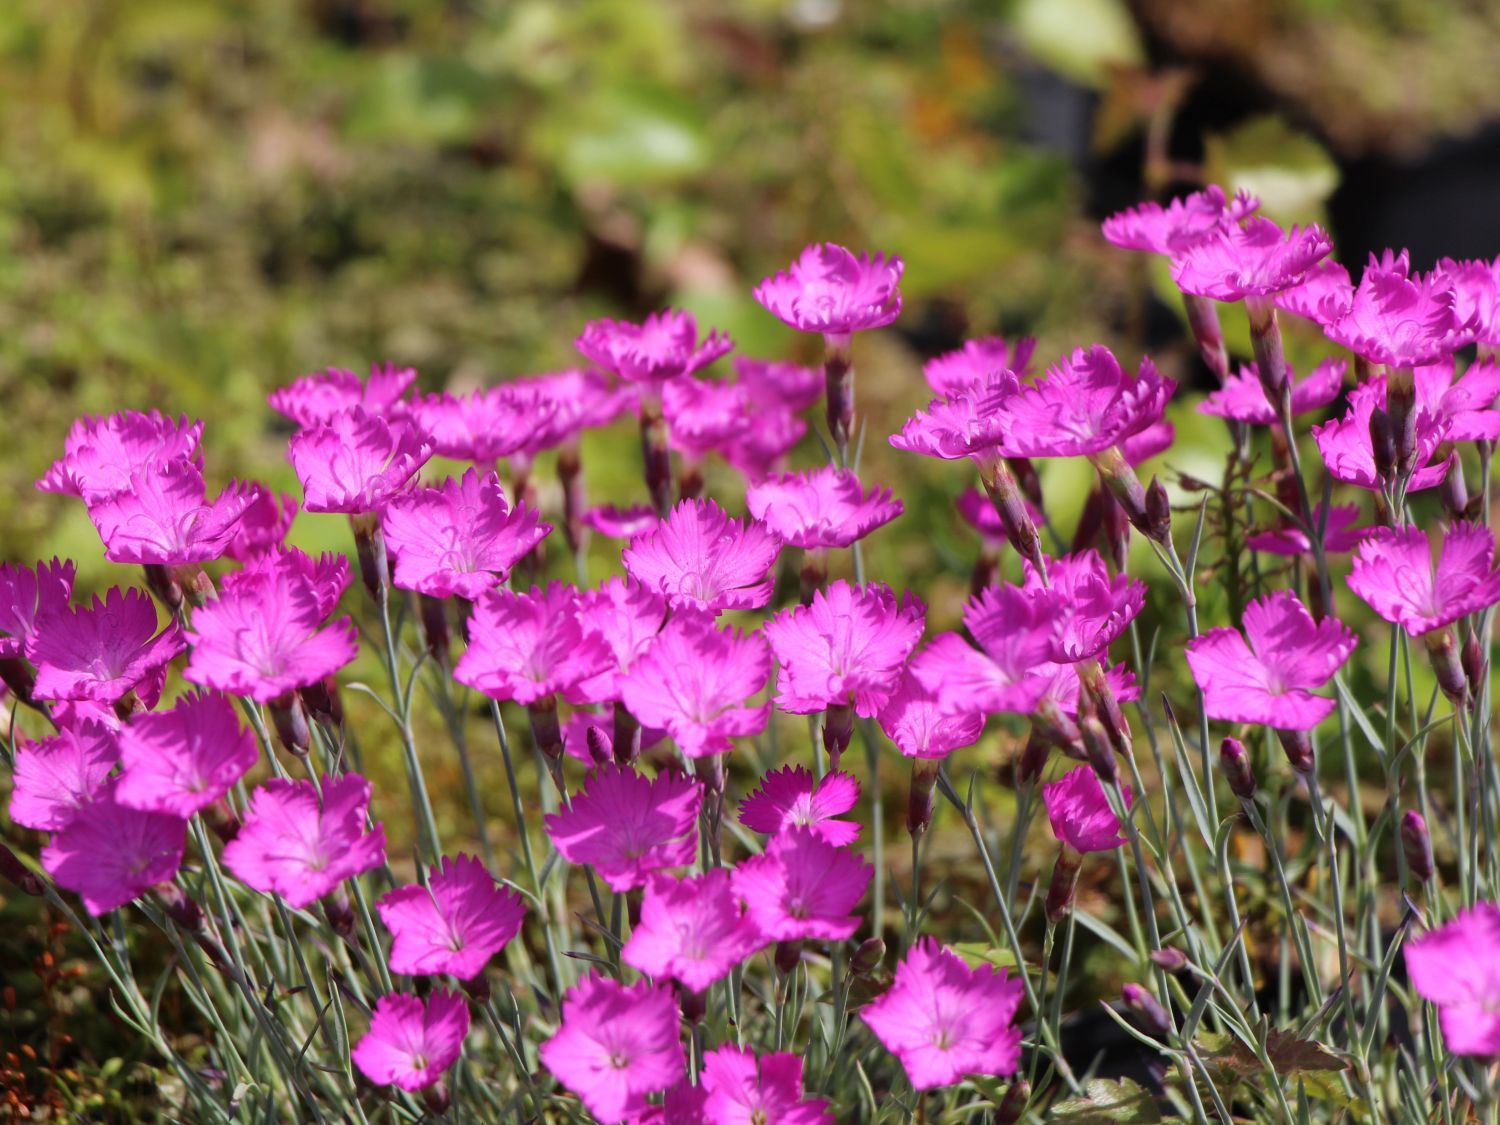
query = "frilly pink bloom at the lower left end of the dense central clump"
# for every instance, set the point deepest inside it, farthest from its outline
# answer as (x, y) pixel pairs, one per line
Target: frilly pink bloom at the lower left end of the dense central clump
(527, 647)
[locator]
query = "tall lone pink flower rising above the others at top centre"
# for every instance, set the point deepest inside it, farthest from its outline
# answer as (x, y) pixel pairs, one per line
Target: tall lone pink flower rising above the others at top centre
(833, 292)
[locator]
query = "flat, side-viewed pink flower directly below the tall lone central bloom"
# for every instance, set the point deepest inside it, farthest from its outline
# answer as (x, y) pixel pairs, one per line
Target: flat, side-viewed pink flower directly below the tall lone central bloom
(824, 508)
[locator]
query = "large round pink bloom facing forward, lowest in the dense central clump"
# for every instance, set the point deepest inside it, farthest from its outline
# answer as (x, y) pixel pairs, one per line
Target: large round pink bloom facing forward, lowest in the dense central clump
(695, 682)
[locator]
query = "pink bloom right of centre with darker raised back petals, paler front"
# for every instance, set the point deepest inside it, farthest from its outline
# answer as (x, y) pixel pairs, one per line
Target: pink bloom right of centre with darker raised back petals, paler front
(1016, 631)
